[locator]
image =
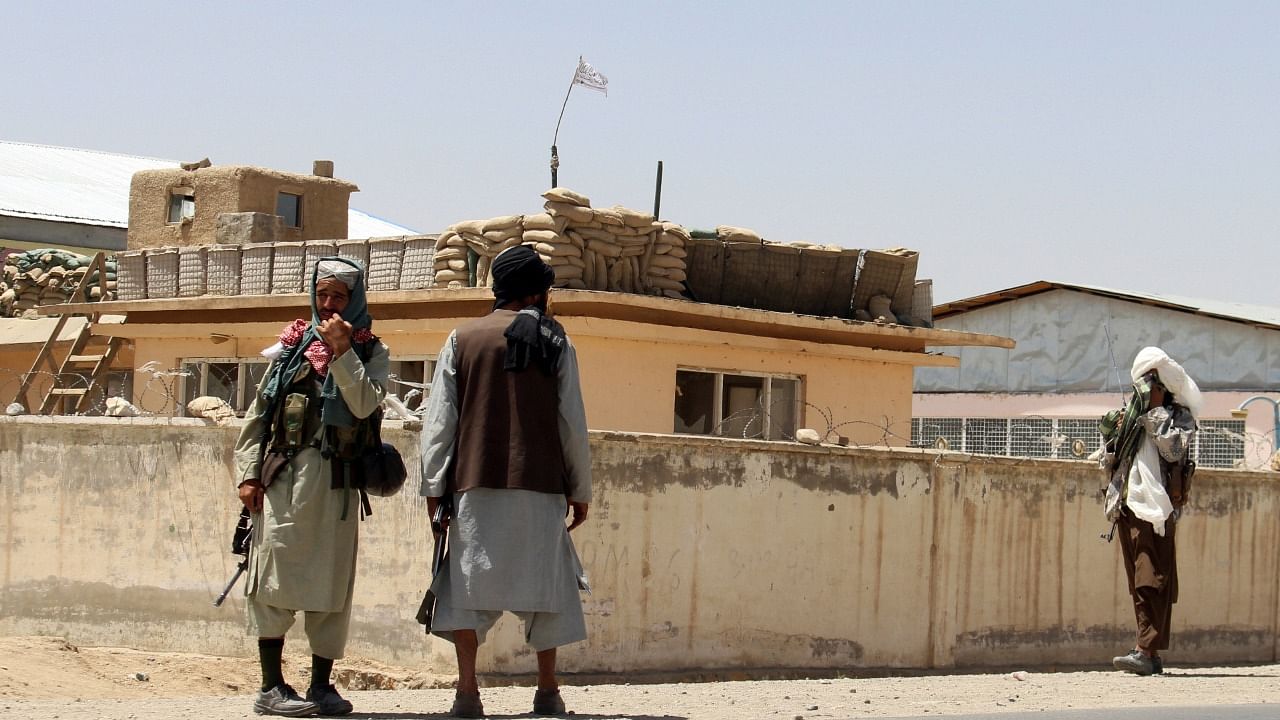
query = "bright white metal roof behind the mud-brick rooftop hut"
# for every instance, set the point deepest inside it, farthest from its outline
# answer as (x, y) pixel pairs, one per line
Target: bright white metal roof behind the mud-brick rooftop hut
(92, 188)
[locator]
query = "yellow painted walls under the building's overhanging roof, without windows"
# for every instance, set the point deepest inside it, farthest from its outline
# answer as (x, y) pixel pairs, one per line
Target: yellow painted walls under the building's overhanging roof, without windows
(628, 370)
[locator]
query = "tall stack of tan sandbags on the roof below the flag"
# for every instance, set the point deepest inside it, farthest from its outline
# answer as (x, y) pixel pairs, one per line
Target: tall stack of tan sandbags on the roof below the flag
(615, 249)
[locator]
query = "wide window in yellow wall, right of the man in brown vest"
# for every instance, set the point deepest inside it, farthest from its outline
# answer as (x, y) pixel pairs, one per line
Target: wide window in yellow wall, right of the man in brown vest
(737, 405)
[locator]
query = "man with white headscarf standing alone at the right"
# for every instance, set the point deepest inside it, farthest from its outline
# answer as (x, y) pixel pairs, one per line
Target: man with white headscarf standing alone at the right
(1149, 461)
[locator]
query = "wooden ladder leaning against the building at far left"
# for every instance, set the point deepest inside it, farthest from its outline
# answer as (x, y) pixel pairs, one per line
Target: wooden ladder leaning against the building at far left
(65, 397)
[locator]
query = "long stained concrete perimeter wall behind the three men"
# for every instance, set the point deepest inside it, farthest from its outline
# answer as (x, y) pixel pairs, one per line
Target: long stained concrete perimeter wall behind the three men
(703, 555)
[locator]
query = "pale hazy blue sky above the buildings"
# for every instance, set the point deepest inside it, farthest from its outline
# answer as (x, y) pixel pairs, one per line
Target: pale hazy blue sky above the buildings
(1130, 145)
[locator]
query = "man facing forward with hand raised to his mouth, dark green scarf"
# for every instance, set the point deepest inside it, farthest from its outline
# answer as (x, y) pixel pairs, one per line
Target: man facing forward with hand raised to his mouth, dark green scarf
(312, 416)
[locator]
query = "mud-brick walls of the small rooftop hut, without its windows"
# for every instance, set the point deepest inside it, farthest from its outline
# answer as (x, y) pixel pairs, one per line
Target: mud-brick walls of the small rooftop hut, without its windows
(232, 189)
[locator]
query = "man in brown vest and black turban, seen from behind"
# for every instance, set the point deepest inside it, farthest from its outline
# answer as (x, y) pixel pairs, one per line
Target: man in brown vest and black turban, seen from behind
(505, 436)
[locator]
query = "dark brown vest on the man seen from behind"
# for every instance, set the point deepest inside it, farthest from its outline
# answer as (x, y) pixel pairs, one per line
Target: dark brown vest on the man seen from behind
(509, 423)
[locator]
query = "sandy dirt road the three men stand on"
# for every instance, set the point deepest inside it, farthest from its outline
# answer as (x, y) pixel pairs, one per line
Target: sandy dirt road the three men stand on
(48, 678)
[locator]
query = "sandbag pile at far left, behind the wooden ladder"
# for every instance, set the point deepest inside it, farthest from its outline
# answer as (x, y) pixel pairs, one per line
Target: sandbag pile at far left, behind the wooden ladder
(45, 277)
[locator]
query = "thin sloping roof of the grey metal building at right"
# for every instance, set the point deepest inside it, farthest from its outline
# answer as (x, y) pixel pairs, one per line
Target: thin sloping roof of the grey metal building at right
(1237, 312)
